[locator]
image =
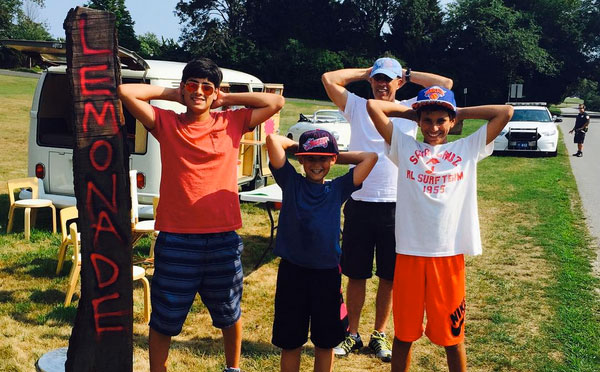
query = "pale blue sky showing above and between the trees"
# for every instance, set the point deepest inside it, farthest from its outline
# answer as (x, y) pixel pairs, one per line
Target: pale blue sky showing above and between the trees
(154, 16)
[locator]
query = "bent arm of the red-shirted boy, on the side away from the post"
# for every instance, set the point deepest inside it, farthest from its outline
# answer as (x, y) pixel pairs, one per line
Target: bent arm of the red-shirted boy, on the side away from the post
(263, 105)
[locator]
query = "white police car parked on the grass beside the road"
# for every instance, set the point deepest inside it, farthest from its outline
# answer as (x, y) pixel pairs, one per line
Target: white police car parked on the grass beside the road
(531, 130)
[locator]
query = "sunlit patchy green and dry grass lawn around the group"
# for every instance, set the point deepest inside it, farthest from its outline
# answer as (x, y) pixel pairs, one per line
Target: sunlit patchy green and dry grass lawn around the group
(532, 302)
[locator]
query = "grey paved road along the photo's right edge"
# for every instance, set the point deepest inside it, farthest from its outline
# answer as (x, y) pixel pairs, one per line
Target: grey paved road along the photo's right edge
(587, 174)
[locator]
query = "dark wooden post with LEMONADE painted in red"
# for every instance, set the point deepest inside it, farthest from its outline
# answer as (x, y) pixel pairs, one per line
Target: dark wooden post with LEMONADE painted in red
(101, 339)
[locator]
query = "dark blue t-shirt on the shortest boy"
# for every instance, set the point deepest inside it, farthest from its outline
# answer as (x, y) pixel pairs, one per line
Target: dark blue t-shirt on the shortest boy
(308, 233)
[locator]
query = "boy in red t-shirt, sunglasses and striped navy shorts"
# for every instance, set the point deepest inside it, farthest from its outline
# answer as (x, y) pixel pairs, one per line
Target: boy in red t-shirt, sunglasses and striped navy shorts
(197, 250)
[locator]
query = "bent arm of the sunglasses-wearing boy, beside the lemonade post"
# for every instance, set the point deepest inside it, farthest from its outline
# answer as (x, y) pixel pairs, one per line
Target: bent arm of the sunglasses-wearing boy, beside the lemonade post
(136, 97)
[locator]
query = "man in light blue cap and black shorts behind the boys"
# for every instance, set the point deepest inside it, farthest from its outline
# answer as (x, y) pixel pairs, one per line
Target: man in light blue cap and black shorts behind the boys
(369, 214)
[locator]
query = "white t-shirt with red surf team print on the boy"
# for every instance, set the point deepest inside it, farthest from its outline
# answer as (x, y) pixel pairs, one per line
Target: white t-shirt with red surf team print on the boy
(436, 212)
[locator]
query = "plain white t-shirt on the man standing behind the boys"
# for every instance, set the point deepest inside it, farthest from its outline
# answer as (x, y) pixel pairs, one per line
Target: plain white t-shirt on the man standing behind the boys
(380, 185)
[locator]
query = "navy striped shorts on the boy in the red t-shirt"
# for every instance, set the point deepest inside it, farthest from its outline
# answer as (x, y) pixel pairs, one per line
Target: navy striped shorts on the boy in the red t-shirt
(186, 264)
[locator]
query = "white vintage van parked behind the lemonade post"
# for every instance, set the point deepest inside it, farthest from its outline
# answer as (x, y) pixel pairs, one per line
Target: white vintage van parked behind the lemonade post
(51, 136)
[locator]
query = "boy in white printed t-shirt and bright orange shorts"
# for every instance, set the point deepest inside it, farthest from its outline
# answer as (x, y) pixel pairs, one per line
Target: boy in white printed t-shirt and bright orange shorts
(438, 222)
